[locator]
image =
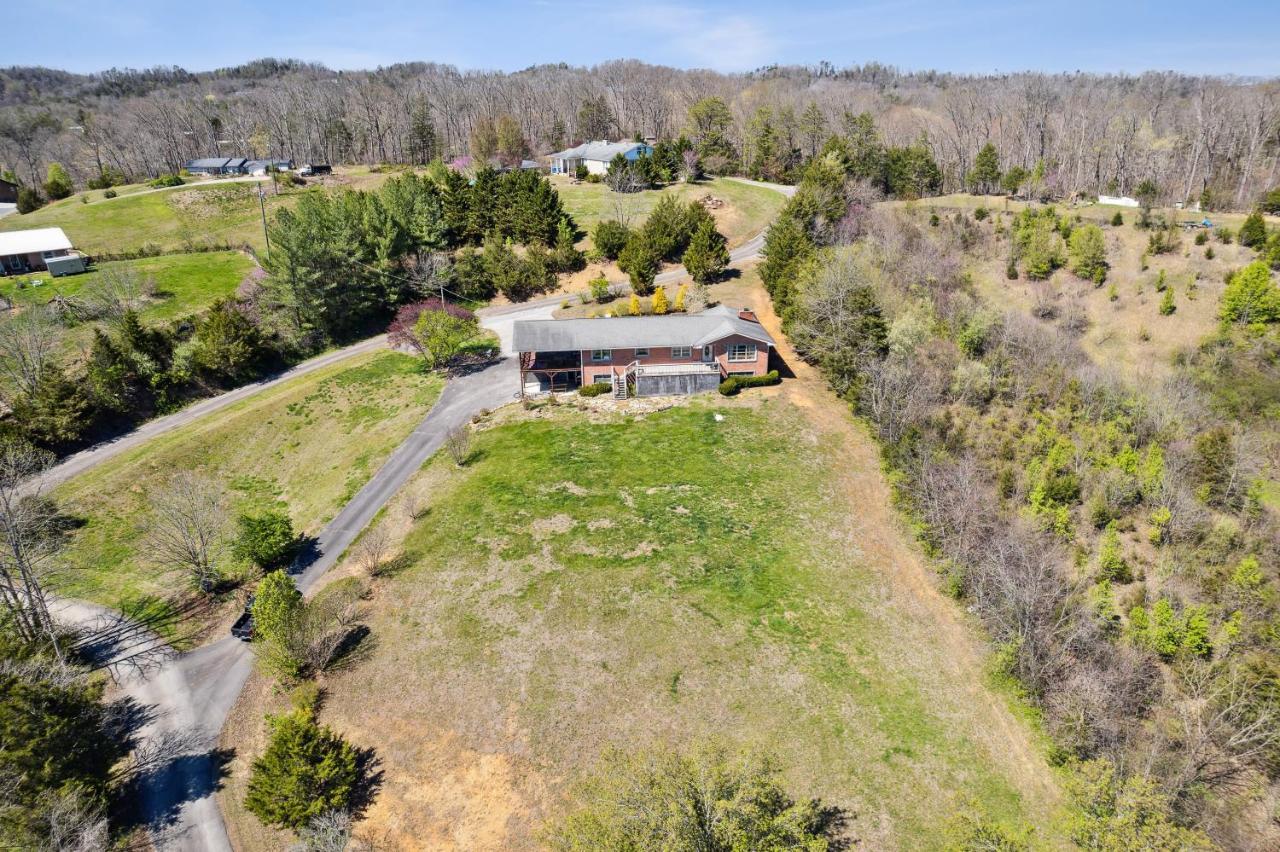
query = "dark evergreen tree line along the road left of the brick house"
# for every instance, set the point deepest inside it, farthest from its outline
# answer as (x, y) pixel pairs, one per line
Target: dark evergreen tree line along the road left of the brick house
(340, 267)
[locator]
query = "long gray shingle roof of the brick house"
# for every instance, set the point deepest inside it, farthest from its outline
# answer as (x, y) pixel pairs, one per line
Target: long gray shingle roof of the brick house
(632, 332)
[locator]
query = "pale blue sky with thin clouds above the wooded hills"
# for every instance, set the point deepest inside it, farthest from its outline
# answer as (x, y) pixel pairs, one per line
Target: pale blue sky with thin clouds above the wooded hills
(1241, 38)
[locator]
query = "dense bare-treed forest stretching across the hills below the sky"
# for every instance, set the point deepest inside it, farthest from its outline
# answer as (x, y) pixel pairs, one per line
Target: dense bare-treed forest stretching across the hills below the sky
(1197, 139)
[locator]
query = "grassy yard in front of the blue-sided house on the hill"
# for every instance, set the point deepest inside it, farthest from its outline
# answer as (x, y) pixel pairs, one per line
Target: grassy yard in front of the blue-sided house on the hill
(748, 209)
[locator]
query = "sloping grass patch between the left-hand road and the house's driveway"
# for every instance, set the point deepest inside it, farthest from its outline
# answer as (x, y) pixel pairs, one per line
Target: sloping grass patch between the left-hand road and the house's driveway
(307, 446)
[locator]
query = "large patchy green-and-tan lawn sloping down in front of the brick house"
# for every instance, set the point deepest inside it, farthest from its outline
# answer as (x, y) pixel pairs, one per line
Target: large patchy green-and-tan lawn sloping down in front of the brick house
(662, 579)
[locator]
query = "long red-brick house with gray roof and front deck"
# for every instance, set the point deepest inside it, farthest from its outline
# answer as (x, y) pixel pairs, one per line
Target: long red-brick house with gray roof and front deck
(675, 354)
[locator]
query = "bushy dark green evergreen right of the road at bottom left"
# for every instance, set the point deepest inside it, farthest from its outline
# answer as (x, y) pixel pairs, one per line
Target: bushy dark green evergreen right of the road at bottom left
(305, 772)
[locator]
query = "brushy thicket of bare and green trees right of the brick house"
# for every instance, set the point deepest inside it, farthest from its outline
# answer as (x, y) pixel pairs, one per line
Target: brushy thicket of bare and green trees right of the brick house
(1114, 539)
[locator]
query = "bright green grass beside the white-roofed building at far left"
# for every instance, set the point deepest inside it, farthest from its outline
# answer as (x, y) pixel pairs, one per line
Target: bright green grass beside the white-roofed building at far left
(185, 283)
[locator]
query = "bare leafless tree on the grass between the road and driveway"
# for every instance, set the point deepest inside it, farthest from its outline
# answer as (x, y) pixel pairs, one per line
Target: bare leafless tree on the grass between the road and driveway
(188, 532)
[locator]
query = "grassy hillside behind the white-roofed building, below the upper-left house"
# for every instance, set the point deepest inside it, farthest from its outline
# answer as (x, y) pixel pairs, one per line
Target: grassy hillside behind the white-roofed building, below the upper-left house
(200, 216)
